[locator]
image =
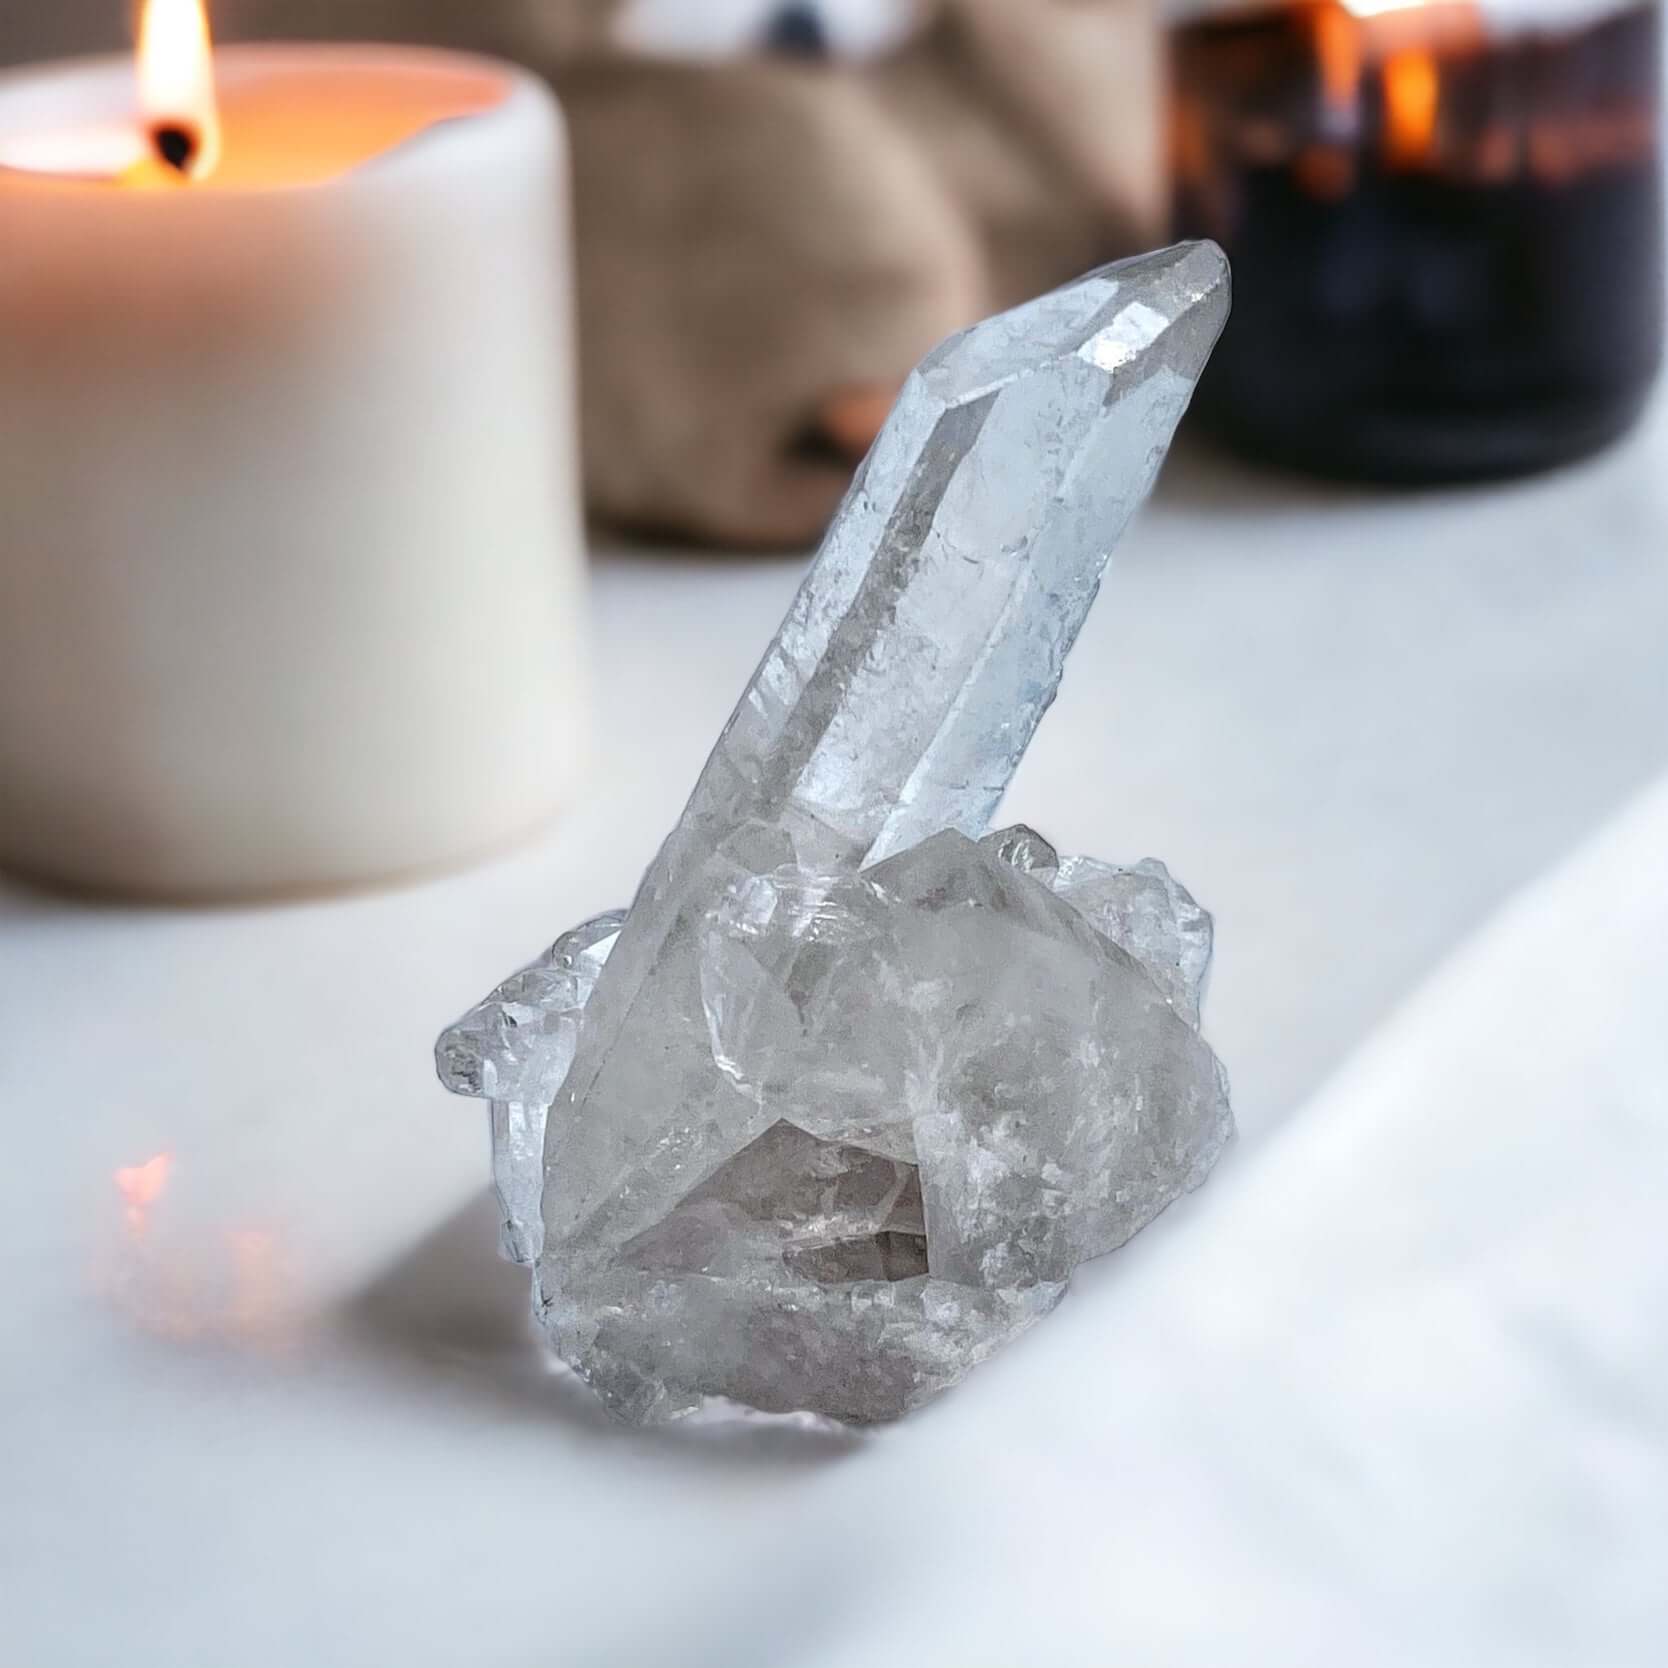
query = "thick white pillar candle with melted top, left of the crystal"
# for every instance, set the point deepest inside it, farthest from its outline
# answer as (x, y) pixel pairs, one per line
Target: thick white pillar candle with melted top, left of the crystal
(289, 531)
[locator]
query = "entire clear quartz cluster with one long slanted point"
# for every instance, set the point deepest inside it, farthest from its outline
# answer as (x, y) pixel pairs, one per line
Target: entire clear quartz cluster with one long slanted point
(842, 1102)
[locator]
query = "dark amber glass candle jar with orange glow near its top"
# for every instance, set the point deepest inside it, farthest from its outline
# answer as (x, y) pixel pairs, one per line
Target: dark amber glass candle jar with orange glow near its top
(1445, 228)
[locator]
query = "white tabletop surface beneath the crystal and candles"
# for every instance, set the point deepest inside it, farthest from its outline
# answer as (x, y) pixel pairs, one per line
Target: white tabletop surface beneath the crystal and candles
(293, 1415)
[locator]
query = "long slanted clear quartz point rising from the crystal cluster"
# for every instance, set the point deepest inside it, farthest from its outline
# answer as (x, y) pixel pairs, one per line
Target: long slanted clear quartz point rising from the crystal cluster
(910, 675)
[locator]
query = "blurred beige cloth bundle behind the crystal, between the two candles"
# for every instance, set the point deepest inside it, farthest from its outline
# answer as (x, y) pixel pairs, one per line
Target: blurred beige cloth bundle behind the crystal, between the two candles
(766, 246)
